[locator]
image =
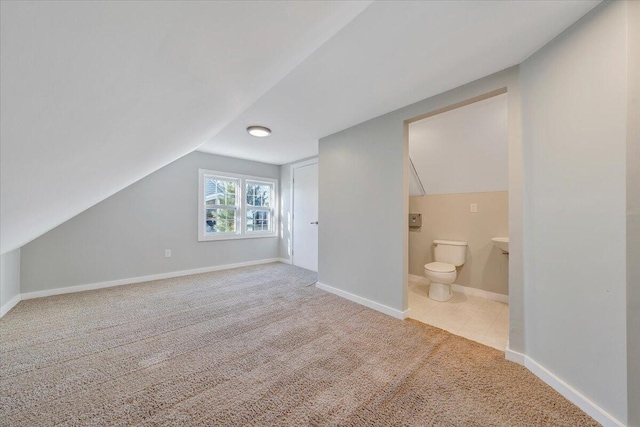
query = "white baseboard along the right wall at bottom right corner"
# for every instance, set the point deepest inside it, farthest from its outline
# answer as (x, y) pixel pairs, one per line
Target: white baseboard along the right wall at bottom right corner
(573, 395)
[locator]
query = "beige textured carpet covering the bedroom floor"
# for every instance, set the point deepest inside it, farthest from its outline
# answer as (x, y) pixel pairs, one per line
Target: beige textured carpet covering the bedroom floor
(252, 346)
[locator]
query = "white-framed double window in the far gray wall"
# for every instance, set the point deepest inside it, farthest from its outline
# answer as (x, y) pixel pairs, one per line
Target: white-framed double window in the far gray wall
(235, 206)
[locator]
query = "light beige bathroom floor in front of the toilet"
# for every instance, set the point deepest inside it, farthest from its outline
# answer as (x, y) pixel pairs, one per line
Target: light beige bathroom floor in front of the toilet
(478, 319)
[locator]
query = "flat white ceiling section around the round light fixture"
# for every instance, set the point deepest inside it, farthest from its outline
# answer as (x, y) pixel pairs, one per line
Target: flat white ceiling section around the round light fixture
(389, 56)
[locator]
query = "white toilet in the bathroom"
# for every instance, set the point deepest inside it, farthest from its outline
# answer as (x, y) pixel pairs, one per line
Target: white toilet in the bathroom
(449, 254)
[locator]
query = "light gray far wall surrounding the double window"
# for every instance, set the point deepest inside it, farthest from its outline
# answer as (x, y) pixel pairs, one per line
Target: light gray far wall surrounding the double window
(125, 235)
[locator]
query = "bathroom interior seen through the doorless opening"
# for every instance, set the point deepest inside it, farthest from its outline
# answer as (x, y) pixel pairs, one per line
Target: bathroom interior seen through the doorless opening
(458, 204)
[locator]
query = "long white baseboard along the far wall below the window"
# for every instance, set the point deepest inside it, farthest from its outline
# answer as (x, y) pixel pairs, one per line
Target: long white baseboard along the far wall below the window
(140, 279)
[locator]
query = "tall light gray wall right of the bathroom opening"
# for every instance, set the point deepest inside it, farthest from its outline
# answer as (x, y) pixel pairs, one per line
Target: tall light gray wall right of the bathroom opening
(574, 95)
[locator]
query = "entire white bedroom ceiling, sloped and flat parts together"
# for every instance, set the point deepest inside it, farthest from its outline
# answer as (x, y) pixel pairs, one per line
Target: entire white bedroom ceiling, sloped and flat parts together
(96, 95)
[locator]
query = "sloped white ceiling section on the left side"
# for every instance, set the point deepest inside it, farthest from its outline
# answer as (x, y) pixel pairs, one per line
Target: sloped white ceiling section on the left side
(96, 95)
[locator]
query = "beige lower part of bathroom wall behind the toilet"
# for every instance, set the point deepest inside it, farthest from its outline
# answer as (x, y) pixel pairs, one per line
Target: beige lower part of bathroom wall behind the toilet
(447, 216)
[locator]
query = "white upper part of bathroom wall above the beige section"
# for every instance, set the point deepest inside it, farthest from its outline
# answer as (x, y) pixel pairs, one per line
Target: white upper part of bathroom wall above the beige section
(462, 150)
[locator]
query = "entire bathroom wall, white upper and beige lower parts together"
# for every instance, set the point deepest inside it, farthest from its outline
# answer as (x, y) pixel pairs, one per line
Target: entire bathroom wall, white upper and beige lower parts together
(461, 157)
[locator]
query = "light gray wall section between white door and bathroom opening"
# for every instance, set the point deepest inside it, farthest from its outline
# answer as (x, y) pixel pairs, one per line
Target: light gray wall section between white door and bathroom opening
(361, 211)
